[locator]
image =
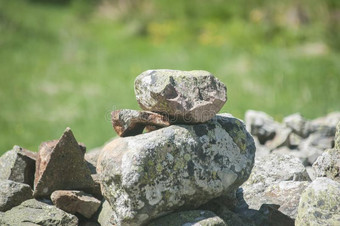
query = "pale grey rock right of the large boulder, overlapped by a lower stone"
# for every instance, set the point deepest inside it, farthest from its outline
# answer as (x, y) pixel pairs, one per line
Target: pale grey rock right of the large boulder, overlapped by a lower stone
(267, 171)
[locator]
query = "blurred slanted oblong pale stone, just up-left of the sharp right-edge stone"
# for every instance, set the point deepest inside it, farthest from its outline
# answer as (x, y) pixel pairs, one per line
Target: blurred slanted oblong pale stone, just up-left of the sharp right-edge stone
(311, 148)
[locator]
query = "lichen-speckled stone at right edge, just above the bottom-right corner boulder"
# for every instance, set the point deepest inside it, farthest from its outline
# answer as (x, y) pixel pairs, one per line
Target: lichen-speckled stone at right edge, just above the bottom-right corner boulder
(328, 165)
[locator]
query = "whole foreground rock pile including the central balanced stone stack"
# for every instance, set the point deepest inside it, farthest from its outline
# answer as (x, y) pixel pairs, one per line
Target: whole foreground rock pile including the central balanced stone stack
(176, 162)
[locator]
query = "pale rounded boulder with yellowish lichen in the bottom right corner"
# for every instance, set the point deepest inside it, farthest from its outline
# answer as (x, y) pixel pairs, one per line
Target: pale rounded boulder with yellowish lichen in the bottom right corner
(320, 203)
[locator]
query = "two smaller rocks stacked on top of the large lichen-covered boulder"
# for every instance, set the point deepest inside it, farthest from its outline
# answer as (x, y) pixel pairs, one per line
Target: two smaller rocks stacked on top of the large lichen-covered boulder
(171, 97)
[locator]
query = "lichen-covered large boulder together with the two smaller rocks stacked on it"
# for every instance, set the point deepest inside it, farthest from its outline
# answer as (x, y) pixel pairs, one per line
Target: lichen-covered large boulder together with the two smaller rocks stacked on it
(192, 156)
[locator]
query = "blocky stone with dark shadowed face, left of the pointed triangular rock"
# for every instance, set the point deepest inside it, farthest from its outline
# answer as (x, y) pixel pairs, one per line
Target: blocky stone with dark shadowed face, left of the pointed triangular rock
(18, 165)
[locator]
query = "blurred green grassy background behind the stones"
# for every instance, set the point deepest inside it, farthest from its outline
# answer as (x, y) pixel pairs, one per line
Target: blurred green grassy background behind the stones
(70, 63)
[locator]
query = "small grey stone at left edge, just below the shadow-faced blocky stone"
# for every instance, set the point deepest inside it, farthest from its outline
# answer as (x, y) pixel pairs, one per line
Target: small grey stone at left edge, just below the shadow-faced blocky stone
(13, 193)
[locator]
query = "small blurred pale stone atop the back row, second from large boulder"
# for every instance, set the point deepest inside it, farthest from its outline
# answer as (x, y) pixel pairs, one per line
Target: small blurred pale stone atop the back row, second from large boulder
(298, 124)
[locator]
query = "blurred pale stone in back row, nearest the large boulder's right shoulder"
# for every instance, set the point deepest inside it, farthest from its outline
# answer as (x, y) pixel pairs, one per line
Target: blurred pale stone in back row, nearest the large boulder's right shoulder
(261, 125)
